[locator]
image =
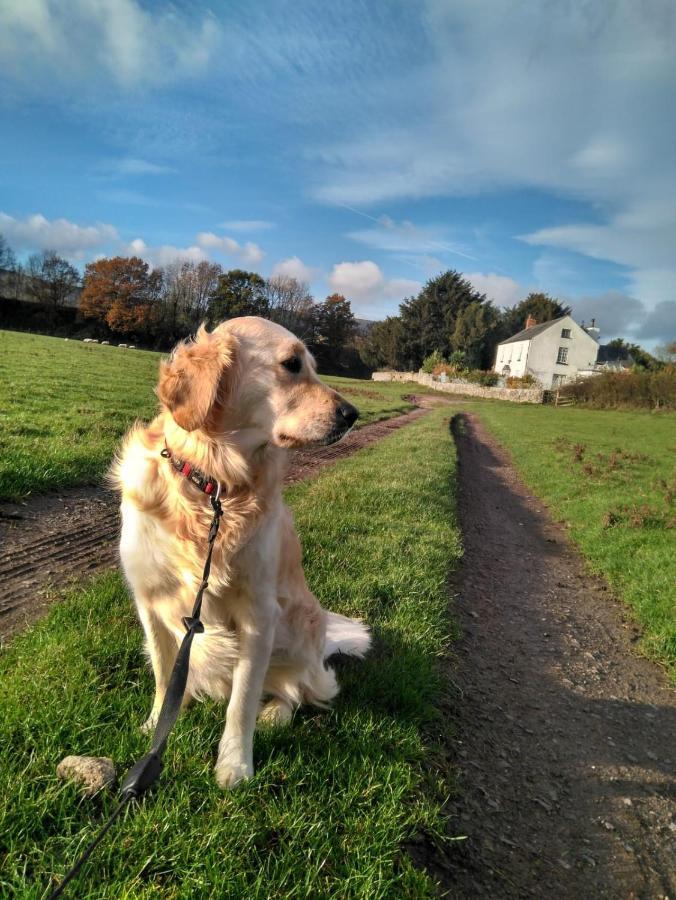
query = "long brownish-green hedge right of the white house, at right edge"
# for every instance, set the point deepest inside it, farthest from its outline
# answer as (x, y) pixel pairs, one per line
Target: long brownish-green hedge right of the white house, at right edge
(626, 390)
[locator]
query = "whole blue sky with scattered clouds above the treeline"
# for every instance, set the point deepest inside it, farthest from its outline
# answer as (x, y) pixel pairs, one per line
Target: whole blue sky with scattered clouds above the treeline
(362, 147)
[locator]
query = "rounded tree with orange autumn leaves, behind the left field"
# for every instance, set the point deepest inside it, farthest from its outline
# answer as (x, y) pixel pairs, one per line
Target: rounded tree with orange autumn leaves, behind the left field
(122, 292)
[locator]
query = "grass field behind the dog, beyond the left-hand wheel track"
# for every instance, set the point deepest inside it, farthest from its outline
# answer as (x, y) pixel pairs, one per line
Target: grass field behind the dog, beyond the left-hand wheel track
(66, 404)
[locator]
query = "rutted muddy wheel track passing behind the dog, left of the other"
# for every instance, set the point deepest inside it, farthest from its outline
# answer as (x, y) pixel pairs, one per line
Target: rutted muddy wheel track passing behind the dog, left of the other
(53, 540)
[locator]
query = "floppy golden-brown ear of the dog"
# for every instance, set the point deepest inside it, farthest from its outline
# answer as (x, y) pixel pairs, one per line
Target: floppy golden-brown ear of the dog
(195, 377)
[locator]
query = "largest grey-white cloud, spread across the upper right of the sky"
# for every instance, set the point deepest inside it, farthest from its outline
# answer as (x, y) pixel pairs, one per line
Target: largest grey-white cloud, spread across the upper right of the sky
(528, 98)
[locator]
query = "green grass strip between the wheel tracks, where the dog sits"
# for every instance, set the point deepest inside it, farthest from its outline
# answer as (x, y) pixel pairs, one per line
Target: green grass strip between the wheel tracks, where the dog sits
(336, 794)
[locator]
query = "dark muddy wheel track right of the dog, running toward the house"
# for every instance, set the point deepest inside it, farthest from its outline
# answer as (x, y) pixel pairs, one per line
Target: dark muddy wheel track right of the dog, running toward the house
(563, 737)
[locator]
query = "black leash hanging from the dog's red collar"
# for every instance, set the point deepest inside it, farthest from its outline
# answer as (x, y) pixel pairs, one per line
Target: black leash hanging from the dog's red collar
(146, 771)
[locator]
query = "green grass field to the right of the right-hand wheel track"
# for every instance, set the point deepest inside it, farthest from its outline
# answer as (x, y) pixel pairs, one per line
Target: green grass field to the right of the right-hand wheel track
(610, 477)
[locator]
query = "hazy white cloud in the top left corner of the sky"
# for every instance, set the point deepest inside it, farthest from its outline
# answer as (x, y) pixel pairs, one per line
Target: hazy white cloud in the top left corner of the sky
(45, 43)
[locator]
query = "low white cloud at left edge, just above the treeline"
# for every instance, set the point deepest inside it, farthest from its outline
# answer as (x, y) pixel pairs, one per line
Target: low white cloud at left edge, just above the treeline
(36, 232)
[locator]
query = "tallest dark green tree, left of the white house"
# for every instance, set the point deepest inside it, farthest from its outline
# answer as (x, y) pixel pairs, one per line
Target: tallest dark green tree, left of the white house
(430, 319)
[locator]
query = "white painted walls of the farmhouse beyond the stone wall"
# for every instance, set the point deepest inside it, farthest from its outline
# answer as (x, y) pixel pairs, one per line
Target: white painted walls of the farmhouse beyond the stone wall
(538, 356)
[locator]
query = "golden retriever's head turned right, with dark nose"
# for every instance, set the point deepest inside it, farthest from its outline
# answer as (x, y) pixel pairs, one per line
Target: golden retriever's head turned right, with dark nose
(250, 373)
